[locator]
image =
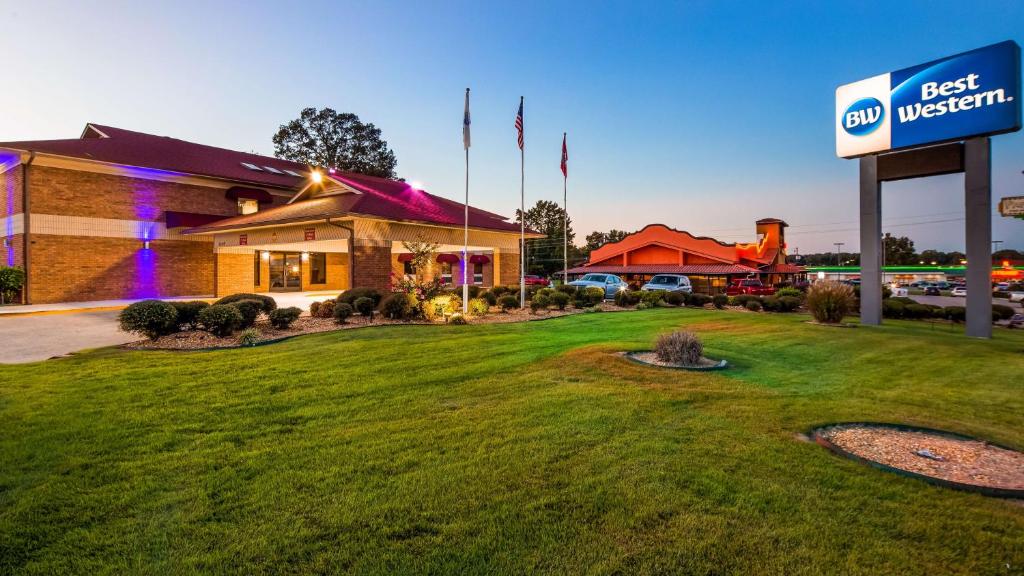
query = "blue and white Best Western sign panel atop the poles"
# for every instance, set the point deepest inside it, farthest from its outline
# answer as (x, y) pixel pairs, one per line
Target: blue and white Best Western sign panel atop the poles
(970, 95)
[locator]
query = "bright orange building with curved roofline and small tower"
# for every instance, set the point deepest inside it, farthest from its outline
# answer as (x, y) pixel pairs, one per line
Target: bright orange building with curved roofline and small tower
(709, 264)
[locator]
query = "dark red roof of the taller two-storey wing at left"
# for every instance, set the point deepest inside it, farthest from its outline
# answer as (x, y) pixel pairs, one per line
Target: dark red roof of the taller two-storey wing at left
(162, 153)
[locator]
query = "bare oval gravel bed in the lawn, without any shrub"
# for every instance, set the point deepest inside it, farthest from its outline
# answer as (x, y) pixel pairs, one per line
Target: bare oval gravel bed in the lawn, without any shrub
(935, 457)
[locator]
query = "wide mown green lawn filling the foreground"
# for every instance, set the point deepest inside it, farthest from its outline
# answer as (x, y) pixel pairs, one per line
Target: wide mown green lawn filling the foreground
(505, 449)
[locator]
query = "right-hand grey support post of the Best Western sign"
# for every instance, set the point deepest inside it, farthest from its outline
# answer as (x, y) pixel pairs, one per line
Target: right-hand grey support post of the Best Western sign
(978, 196)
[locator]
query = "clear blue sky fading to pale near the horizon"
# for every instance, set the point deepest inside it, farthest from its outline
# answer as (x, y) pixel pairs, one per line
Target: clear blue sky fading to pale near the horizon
(704, 116)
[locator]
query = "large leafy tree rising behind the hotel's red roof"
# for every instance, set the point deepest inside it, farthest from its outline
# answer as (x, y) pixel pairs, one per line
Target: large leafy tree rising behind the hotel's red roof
(328, 139)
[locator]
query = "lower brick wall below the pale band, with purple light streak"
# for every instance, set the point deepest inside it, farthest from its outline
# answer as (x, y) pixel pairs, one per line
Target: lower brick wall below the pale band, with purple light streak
(76, 269)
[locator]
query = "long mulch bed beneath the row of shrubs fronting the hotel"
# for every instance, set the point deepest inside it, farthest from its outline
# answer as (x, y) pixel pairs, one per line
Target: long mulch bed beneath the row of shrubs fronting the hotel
(199, 340)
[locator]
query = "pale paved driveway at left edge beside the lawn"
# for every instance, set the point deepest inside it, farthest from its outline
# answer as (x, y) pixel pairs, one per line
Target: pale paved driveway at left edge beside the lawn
(34, 338)
